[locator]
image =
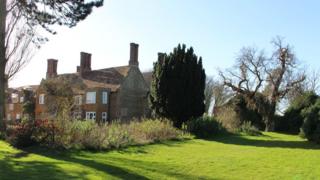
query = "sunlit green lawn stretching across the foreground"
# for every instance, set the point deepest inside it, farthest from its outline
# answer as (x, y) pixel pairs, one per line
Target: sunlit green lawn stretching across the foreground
(272, 156)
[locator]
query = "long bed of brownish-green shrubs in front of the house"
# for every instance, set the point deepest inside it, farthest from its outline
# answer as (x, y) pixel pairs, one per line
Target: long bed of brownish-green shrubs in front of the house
(90, 135)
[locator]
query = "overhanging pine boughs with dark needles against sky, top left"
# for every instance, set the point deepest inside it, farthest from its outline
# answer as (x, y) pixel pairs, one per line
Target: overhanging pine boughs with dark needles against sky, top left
(49, 13)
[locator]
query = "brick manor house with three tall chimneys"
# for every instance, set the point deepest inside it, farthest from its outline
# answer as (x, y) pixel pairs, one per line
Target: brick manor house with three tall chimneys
(101, 95)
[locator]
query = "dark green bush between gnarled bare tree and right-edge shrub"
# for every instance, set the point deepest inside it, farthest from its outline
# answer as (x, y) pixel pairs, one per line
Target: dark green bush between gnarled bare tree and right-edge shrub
(292, 120)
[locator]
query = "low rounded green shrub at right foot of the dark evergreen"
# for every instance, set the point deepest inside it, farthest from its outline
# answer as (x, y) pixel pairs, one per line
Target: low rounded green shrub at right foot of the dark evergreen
(204, 127)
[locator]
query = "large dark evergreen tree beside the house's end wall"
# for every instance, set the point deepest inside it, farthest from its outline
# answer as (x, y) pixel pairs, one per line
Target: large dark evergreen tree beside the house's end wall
(177, 87)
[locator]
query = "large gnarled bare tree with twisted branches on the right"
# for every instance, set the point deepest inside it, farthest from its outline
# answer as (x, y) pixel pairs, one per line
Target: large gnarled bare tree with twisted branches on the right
(265, 81)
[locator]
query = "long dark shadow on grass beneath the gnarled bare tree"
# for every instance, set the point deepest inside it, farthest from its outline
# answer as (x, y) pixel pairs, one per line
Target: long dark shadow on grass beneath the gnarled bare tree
(272, 143)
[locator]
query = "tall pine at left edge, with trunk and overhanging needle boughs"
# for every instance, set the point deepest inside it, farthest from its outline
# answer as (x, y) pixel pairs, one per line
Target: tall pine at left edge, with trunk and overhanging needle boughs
(43, 13)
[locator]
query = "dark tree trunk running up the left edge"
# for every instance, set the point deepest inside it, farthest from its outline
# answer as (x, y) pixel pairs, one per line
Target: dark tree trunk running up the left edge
(3, 15)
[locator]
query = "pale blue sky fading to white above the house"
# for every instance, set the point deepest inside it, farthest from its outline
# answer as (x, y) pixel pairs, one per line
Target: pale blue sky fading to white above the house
(216, 29)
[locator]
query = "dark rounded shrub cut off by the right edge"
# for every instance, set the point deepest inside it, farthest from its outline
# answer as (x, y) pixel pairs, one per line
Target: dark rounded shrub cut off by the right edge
(311, 125)
